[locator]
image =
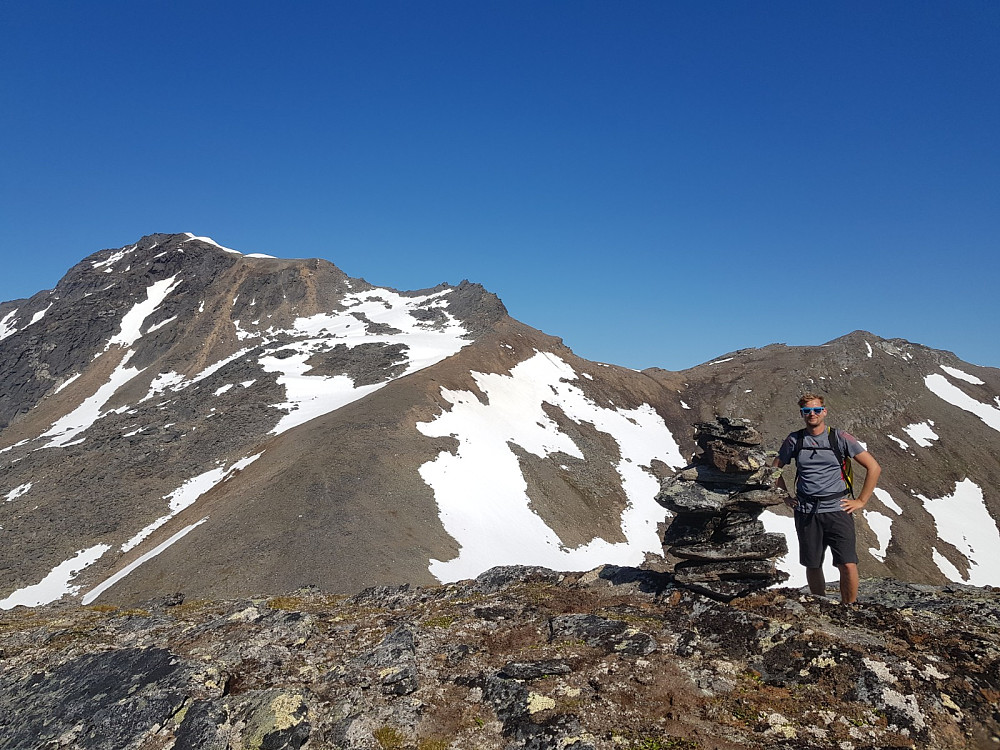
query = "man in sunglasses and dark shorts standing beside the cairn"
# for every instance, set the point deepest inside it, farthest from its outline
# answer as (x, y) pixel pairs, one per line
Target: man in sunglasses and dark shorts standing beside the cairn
(822, 502)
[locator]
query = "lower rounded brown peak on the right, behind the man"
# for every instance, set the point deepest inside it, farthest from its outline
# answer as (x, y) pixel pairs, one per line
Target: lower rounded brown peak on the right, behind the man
(931, 420)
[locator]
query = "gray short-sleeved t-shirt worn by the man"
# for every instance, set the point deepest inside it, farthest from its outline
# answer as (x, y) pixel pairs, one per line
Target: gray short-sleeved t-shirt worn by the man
(817, 472)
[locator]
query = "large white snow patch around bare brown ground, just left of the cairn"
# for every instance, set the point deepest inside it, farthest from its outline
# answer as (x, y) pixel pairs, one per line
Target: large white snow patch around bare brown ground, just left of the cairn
(496, 525)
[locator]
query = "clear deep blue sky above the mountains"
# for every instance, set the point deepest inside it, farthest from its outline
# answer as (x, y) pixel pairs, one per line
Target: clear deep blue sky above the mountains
(656, 182)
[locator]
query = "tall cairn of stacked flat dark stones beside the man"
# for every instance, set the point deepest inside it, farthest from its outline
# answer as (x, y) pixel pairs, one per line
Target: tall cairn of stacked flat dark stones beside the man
(724, 549)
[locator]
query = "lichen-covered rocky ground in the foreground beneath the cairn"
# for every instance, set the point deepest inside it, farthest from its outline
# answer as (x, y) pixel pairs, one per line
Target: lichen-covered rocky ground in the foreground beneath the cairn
(518, 658)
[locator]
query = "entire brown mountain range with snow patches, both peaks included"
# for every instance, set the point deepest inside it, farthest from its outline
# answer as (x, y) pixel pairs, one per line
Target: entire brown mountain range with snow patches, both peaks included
(179, 417)
